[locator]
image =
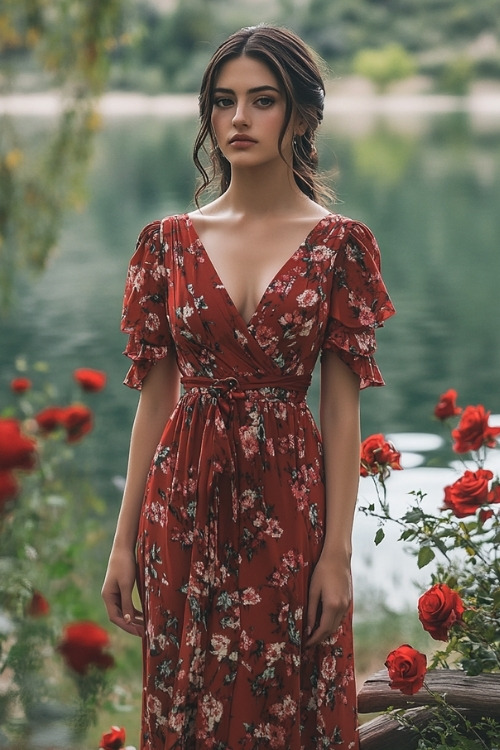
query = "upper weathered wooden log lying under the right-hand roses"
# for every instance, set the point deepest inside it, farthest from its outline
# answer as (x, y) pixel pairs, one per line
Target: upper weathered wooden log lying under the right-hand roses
(480, 694)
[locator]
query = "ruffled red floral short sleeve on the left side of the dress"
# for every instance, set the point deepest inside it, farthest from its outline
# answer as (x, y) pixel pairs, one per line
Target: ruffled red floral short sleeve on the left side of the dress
(144, 316)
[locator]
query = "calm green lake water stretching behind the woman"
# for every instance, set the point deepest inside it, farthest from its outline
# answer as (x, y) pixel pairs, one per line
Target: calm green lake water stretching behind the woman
(427, 184)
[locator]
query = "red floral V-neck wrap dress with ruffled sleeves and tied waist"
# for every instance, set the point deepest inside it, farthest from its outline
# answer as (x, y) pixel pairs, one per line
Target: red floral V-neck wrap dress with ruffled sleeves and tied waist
(233, 515)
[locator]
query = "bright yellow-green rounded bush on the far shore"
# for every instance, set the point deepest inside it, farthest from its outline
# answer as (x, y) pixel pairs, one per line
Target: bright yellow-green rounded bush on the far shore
(384, 66)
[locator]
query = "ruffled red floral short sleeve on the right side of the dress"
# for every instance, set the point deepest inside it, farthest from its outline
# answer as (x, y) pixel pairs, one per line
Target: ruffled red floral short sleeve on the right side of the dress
(359, 304)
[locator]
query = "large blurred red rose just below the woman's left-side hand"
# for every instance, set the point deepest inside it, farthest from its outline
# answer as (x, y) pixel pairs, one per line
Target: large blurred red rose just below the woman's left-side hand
(83, 644)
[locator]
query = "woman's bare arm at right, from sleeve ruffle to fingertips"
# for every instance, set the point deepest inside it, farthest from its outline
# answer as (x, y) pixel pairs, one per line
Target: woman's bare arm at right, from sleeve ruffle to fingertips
(340, 428)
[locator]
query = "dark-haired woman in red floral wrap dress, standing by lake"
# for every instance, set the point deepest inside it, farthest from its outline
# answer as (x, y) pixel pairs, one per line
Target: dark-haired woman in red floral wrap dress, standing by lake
(242, 512)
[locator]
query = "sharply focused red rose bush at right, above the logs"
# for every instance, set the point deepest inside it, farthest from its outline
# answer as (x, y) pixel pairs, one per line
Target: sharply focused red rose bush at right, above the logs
(462, 605)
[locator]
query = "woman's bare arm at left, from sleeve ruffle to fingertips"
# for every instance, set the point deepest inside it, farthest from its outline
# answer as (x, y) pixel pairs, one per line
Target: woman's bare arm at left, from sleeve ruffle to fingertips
(159, 396)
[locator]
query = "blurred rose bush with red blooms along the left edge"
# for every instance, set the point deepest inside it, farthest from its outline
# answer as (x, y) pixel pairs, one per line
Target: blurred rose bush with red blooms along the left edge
(50, 524)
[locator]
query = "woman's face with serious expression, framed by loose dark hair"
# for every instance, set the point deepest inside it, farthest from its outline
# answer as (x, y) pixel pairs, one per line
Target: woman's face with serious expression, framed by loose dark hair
(248, 112)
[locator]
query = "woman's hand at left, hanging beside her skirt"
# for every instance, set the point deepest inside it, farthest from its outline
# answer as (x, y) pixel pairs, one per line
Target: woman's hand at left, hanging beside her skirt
(117, 593)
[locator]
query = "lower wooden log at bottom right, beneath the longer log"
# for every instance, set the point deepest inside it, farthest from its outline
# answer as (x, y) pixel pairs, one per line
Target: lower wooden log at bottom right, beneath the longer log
(386, 733)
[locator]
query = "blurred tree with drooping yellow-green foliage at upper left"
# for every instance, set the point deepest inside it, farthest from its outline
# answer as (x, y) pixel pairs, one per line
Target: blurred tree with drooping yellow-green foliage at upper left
(65, 45)
